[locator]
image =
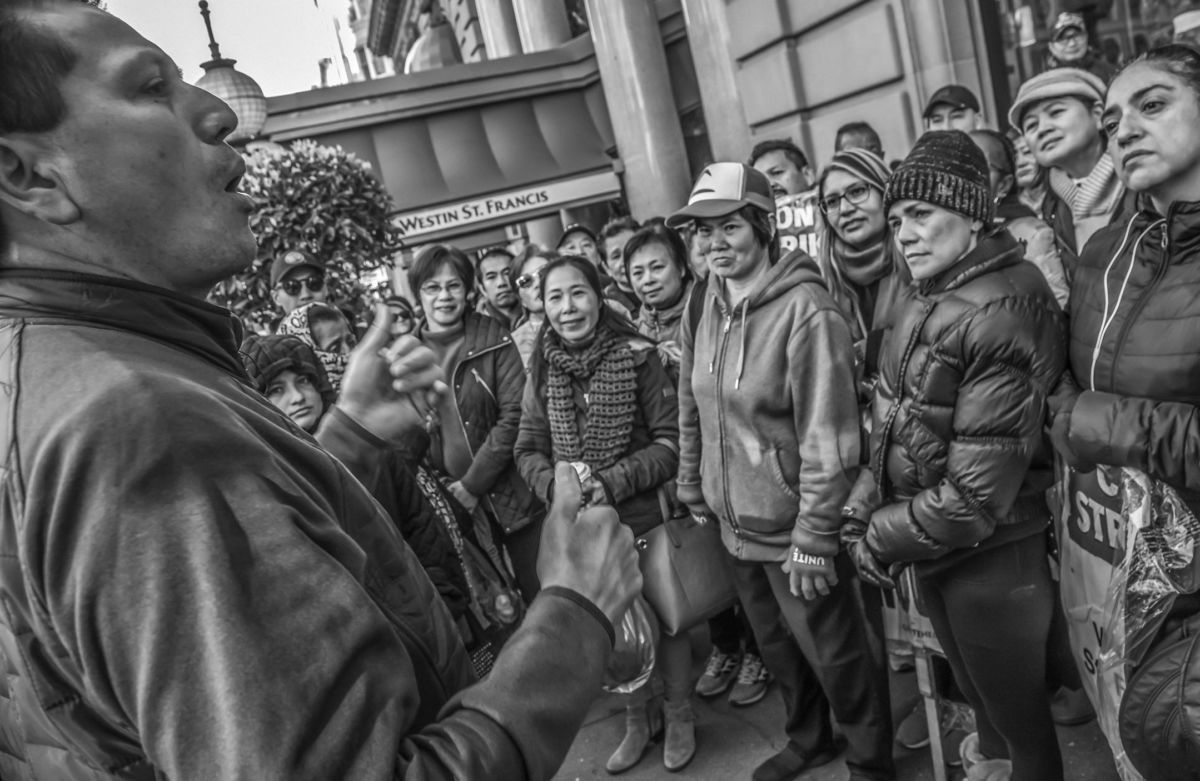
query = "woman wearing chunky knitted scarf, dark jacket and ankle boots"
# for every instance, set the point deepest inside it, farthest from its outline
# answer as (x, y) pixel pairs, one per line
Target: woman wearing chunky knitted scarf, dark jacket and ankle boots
(599, 396)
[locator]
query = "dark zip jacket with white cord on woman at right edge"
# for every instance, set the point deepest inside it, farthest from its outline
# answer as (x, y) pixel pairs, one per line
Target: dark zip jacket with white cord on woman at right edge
(1142, 374)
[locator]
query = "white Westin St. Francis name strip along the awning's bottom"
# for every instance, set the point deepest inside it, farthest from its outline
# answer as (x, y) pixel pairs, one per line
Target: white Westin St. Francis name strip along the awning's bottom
(507, 207)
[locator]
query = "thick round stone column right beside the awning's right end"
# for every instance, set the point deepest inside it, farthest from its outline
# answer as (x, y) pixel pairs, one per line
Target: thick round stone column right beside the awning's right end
(638, 91)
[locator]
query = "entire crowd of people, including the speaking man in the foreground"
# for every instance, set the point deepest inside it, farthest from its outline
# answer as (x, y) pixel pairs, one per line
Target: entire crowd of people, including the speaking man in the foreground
(332, 552)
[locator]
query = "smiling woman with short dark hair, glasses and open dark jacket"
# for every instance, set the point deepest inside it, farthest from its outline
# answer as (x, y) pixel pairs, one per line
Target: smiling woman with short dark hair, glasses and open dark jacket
(479, 419)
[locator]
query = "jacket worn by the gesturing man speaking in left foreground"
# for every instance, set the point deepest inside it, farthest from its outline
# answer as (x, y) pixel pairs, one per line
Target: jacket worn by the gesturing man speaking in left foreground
(194, 588)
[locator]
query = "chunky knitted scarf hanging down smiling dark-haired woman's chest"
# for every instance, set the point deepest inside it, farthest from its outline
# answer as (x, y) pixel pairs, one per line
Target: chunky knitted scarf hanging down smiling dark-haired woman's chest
(611, 400)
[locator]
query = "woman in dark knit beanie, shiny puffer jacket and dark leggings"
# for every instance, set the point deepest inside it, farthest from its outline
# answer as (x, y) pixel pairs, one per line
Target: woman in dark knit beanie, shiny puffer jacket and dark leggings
(958, 452)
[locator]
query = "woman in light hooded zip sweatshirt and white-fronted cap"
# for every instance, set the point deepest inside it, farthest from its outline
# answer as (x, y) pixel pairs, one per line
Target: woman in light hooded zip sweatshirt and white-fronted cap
(770, 446)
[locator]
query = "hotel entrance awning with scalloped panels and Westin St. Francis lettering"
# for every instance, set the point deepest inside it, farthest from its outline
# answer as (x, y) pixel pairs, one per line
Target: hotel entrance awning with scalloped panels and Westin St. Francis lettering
(471, 146)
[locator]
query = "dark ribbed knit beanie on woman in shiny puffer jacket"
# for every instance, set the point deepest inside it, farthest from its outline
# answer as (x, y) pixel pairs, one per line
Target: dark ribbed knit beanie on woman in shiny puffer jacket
(946, 169)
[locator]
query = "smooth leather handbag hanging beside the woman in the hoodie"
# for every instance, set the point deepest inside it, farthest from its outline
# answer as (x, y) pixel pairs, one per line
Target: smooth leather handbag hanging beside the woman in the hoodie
(687, 573)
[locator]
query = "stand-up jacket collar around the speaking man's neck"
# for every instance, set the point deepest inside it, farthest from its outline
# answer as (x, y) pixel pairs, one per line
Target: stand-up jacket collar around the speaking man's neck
(208, 332)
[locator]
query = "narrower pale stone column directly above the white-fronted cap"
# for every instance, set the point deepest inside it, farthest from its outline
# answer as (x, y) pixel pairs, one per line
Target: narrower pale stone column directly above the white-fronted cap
(709, 37)
